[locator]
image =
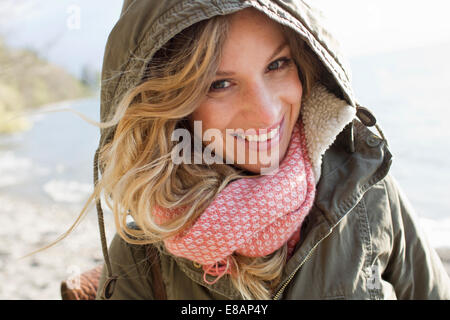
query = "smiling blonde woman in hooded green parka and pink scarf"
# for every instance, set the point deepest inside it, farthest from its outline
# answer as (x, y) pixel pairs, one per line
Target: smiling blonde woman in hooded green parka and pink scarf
(308, 210)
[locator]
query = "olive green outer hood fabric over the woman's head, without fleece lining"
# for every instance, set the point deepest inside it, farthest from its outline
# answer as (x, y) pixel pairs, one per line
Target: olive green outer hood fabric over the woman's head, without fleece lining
(145, 26)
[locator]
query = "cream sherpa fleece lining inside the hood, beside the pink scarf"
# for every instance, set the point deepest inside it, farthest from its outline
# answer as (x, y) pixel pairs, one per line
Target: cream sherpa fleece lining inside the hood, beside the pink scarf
(324, 116)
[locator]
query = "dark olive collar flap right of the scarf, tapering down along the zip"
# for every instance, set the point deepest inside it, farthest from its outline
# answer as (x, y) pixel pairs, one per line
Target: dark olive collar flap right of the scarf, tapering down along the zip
(346, 176)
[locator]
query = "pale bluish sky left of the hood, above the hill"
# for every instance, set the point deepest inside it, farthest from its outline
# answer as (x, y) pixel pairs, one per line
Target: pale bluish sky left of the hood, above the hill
(69, 33)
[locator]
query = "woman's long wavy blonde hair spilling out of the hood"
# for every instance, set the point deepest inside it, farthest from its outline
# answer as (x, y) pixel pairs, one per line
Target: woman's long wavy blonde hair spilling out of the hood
(138, 171)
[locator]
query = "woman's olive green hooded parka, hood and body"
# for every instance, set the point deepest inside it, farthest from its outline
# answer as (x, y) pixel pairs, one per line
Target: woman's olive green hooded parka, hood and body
(361, 239)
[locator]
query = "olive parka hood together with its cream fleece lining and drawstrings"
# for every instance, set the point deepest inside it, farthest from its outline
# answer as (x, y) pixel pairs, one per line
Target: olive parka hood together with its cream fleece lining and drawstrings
(145, 26)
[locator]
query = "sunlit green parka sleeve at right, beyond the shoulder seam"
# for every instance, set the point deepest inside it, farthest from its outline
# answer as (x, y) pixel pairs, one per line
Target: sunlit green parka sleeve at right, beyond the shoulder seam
(408, 260)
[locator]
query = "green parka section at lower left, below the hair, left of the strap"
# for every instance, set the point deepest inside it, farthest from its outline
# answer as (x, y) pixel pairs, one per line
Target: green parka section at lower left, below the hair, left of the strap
(129, 263)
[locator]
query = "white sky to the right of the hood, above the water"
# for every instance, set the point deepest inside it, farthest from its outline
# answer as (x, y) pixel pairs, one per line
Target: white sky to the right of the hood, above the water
(376, 26)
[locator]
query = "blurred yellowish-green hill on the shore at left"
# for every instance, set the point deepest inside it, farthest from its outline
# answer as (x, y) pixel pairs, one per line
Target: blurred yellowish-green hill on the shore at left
(27, 81)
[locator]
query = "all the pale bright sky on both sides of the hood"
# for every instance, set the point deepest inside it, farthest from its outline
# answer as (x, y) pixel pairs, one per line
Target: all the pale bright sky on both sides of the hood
(73, 33)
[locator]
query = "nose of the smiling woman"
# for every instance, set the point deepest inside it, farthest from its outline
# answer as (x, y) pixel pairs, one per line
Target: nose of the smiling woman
(261, 104)
